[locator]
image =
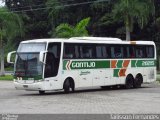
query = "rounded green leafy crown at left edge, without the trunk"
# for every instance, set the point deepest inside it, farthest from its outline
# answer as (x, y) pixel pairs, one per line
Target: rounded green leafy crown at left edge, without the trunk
(11, 24)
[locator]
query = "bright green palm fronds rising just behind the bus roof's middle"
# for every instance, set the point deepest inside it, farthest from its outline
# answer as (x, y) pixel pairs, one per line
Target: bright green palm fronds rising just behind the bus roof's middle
(66, 31)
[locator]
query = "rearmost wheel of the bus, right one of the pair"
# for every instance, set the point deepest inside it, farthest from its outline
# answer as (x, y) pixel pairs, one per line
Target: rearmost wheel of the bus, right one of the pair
(138, 81)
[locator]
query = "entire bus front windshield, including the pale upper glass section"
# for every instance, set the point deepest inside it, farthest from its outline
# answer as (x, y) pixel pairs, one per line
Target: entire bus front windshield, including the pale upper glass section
(27, 63)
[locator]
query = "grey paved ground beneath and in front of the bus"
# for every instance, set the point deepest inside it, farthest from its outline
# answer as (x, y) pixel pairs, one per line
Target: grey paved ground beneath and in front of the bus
(87, 101)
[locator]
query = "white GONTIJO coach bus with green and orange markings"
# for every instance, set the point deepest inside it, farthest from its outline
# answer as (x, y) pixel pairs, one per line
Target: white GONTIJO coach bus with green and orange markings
(67, 64)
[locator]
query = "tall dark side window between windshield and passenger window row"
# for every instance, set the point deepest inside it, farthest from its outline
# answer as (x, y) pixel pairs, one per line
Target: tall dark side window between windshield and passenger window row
(52, 60)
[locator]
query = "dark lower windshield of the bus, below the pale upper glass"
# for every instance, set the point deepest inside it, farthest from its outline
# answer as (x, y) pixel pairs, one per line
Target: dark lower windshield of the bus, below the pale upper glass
(28, 65)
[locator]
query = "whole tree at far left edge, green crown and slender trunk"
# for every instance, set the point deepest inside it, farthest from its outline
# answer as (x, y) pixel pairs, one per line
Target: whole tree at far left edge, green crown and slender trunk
(10, 26)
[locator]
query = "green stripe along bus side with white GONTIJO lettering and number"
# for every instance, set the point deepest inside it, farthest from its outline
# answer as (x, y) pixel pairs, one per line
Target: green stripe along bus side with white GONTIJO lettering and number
(106, 64)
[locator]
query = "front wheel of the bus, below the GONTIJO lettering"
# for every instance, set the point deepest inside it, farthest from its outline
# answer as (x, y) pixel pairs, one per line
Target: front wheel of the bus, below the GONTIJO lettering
(68, 85)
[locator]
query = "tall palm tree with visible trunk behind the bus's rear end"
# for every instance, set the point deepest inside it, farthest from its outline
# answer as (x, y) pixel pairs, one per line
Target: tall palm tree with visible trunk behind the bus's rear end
(133, 10)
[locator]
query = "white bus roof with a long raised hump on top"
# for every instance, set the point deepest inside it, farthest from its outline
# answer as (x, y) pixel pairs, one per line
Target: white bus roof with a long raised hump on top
(99, 40)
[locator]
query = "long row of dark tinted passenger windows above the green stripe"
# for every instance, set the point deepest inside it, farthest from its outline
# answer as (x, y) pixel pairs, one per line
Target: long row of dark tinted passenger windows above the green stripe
(105, 51)
